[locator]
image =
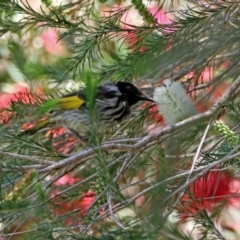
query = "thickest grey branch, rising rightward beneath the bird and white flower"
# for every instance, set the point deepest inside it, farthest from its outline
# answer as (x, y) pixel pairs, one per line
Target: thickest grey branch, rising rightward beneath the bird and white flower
(82, 156)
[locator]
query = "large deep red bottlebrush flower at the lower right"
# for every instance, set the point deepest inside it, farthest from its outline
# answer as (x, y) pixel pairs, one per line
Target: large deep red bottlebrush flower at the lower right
(206, 193)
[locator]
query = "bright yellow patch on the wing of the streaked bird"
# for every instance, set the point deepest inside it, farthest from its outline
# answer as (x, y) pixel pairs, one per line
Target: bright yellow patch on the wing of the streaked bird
(70, 103)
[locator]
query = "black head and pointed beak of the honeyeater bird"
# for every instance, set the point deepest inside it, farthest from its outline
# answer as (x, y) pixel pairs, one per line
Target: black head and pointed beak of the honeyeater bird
(131, 93)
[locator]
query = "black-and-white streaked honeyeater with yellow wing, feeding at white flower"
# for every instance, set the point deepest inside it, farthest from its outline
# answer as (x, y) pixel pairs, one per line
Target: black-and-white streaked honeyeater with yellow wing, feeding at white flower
(112, 105)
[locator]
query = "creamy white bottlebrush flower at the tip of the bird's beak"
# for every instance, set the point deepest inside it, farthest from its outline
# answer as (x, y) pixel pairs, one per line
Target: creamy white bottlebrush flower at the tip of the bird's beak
(173, 102)
